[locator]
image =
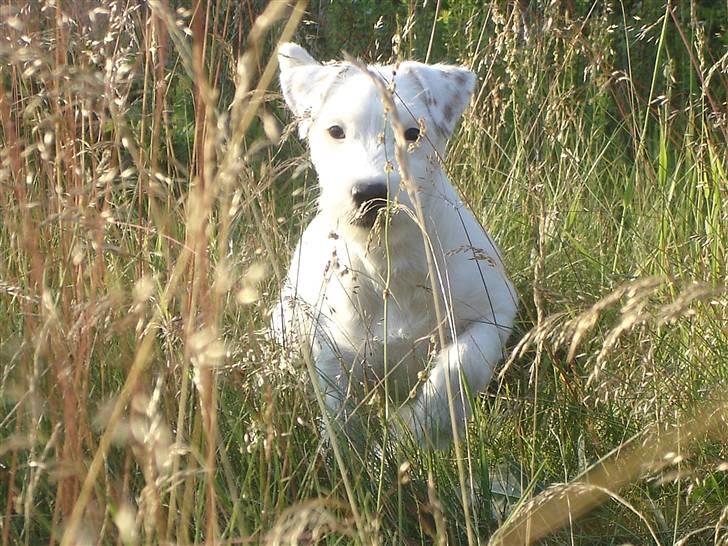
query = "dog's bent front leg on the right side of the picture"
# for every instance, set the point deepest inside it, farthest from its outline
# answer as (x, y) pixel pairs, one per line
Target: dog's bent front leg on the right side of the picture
(467, 363)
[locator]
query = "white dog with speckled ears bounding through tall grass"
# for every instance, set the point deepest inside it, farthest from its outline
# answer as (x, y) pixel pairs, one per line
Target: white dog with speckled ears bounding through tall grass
(361, 293)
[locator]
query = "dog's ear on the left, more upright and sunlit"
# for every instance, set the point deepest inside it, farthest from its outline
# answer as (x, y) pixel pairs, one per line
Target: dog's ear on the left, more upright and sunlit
(304, 82)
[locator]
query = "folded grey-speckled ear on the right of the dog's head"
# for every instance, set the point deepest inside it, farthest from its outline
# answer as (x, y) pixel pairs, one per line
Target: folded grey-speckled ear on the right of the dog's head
(447, 90)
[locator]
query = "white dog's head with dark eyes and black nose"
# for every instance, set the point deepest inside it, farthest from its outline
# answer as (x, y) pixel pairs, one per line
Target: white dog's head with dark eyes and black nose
(339, 110)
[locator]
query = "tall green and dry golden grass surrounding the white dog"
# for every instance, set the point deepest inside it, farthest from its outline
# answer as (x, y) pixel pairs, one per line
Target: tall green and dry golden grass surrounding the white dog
(151, 191)
